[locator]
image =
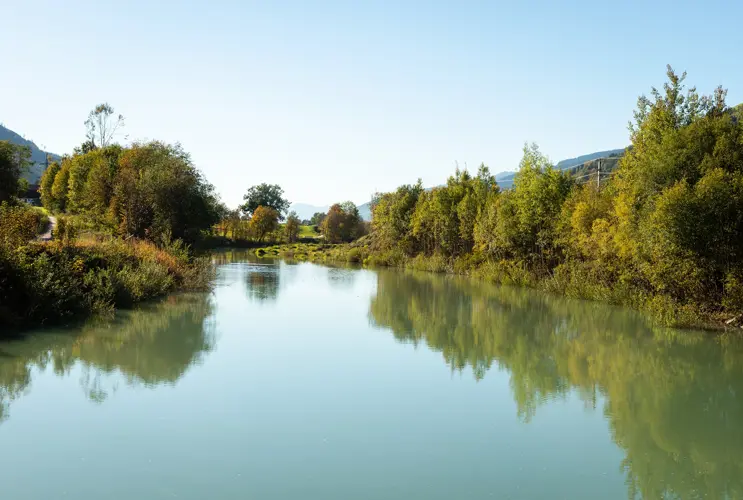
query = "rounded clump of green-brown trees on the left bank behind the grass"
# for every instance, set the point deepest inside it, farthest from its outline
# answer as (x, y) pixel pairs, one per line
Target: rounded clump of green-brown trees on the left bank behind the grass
(148, 190)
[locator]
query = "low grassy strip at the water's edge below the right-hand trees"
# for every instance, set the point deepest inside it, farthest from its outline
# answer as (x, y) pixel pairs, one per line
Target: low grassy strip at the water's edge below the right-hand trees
(569, 280)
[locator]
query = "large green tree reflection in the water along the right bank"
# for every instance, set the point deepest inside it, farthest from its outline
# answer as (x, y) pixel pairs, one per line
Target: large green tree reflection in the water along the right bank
(672, 400)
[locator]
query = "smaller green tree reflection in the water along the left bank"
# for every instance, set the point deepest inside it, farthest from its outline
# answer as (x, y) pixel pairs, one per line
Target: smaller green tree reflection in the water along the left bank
(149, 346)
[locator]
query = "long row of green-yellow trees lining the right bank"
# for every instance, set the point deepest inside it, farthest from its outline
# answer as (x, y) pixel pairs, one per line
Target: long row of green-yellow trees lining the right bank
(665, 231)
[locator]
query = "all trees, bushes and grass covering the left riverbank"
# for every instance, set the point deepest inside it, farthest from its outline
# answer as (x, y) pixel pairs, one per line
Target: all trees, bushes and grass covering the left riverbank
(126, 217)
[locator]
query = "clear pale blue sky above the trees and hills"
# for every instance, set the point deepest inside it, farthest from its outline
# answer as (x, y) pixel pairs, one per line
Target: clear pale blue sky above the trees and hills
(336, 99)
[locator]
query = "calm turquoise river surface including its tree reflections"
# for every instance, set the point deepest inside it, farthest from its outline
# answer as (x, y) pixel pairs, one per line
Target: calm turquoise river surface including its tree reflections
(309, 382)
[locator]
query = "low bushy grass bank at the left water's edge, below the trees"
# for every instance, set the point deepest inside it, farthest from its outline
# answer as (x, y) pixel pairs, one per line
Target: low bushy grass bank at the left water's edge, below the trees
(46, 283)
